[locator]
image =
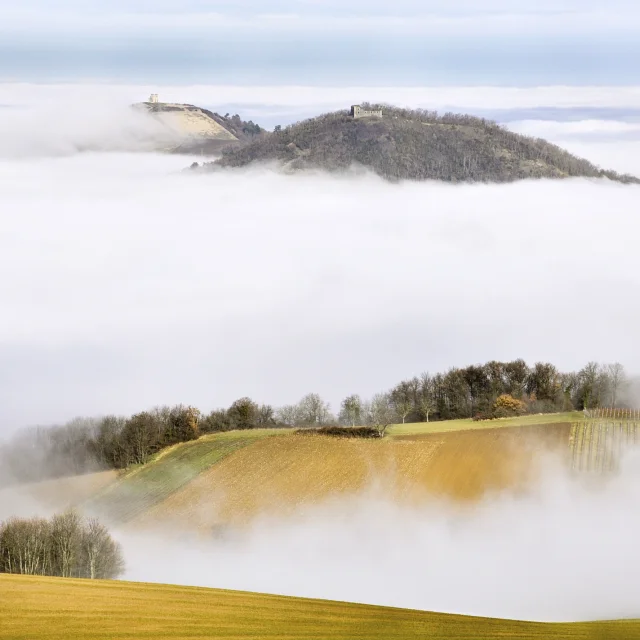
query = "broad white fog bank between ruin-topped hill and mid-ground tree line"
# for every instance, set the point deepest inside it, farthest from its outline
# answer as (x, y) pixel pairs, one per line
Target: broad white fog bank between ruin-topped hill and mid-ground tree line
(130, 283)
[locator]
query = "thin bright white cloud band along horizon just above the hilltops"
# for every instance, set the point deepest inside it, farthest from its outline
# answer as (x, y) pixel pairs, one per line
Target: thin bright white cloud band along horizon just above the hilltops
(319, 97)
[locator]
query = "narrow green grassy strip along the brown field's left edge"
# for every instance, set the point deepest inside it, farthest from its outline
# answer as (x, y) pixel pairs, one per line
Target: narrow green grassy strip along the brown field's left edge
(143, 487)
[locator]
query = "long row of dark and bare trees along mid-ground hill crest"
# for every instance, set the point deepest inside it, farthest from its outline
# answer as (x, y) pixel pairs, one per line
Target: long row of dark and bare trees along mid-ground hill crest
(489, 391)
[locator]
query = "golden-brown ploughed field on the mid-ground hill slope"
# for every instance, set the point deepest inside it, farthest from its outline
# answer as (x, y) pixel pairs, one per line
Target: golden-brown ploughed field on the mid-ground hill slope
(278, 475)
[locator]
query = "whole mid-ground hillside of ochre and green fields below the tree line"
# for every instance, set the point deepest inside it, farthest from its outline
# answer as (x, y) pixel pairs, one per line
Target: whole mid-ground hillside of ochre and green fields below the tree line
(230, 478)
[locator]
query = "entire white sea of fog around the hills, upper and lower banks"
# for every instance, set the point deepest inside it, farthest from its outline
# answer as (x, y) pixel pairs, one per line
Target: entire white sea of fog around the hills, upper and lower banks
(128, 282)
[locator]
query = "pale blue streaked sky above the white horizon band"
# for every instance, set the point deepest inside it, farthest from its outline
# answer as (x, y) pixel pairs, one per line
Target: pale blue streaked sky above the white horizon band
(404, 42)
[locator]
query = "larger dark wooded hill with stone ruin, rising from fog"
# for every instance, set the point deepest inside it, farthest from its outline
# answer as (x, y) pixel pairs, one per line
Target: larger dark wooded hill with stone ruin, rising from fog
(413, 145)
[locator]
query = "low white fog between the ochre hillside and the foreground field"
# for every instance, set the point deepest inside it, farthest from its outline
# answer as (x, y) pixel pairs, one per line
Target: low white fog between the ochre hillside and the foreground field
(565, 551)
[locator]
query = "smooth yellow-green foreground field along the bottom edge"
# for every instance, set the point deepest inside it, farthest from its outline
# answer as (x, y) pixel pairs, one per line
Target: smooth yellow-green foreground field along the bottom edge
(65, 609)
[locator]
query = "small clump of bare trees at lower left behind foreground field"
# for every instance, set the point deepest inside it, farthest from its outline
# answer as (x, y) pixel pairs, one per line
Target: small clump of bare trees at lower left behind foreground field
(66, 546)
